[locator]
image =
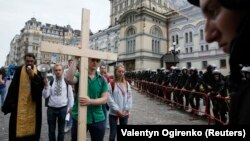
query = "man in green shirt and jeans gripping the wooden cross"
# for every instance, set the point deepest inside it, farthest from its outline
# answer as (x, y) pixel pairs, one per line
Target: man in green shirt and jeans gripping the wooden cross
(97, 96)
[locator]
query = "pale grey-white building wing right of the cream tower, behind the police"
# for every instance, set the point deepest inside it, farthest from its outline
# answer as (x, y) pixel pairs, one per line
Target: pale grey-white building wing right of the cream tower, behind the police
(186, 33)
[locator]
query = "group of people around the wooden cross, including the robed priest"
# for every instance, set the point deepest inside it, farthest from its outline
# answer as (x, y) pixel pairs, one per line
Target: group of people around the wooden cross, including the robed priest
(61, 94)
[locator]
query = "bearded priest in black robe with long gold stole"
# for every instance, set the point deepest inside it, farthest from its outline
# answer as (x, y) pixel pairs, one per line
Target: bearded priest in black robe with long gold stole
(24, 102)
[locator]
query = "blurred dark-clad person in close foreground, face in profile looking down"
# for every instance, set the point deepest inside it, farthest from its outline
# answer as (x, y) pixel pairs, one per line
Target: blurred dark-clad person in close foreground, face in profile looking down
(227, 22)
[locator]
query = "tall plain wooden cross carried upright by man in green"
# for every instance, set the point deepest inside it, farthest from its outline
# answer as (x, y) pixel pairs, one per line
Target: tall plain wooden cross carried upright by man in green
(84, 52)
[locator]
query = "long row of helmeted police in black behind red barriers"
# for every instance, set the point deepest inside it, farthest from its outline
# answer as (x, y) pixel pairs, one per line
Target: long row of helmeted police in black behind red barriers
(186, 87)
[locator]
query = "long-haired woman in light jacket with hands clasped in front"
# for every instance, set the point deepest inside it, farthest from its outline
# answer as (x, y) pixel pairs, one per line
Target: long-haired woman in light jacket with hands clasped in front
(119, 101)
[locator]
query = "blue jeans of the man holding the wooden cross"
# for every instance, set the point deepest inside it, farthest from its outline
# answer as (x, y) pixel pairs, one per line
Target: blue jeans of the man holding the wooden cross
(96, 130)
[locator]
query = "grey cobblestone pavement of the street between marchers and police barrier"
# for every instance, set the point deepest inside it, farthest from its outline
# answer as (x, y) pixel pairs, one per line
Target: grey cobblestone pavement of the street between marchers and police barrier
(145, 111)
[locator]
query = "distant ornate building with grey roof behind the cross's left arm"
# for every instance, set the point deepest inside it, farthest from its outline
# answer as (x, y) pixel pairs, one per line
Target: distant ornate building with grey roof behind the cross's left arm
(30, 39)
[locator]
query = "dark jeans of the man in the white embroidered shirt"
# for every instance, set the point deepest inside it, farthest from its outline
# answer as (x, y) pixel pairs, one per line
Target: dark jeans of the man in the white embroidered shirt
(53, 115)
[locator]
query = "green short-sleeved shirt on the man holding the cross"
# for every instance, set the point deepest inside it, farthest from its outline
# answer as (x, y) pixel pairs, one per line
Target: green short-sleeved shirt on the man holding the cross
(96, 87)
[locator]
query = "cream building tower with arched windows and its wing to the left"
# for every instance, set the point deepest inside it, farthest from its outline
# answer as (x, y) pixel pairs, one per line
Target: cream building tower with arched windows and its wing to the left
(138, 33)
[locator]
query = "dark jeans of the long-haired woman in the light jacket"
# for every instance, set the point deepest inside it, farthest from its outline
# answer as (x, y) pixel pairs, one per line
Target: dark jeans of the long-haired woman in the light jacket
(113, 122)
